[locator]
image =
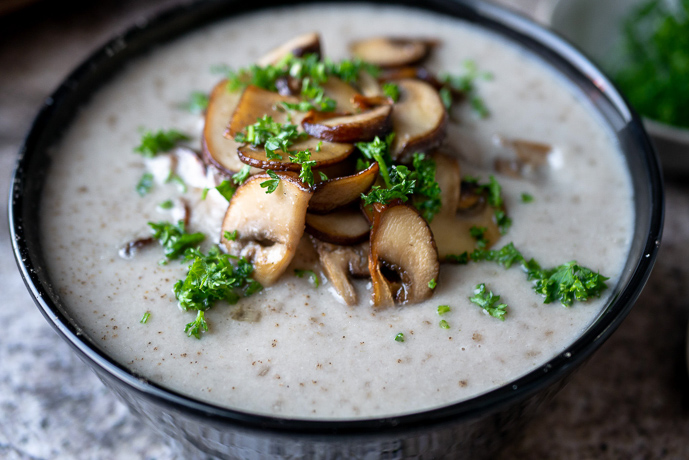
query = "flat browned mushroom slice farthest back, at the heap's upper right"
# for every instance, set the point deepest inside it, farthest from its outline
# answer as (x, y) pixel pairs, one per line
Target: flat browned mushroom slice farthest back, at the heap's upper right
(391, 52)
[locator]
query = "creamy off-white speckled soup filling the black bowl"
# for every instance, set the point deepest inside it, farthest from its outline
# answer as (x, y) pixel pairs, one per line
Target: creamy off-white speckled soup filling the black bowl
(296, 351)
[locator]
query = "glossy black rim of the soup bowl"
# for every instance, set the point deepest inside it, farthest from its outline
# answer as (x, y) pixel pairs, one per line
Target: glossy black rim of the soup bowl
(179, 20)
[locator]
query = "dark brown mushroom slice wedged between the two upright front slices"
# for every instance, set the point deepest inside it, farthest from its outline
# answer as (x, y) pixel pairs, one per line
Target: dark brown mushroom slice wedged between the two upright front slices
(345, 226)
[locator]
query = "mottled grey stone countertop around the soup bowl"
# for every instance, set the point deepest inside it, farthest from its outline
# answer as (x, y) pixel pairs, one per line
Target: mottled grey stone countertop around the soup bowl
(629, 401)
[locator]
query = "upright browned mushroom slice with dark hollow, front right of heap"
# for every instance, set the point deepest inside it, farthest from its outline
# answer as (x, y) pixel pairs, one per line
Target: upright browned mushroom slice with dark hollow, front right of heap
(403, 258)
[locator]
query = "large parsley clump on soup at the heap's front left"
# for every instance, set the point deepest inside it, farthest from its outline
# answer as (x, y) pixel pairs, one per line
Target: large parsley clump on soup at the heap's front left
(211, 278)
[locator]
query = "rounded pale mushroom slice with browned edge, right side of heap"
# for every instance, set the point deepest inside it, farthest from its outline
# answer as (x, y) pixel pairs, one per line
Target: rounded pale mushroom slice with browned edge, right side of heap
(419, 119)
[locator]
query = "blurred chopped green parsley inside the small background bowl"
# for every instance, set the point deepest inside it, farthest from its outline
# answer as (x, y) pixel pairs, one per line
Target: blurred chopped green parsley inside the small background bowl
(654, 70)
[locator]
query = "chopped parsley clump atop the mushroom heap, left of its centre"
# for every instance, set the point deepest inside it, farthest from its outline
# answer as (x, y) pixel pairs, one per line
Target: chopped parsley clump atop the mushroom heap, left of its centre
(272, 135)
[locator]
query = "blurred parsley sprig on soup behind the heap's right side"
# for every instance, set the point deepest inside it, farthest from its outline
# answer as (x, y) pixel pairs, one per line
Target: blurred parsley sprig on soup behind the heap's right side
(464, 85)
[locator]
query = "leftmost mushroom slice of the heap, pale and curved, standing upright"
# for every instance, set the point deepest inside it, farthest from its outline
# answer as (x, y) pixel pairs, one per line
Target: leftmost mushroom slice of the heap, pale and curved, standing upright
(218, 150)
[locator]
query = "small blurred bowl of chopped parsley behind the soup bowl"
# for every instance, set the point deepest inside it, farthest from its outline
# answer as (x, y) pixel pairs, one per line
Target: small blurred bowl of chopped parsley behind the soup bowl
(643, 45)
